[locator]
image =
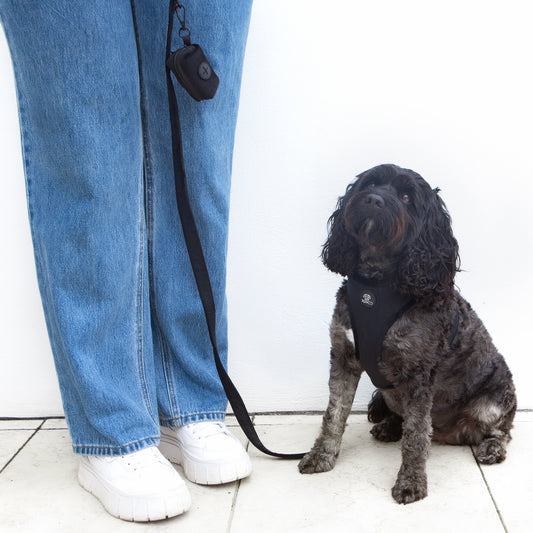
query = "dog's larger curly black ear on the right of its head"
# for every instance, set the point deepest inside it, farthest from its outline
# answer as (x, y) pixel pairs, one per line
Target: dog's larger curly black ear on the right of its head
(428, 265)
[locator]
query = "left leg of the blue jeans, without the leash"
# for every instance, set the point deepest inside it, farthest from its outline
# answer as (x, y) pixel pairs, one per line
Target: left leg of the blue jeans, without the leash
(77, 79)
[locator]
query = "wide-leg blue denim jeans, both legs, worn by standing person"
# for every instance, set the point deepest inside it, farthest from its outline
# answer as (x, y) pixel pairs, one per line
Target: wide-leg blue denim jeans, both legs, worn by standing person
(124, 318)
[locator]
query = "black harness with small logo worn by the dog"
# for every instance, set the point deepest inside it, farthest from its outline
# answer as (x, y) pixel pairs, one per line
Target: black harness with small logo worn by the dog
(373, 308)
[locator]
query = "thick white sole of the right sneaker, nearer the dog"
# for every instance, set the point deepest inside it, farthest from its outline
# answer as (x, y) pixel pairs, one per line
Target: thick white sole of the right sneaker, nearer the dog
(202, 472)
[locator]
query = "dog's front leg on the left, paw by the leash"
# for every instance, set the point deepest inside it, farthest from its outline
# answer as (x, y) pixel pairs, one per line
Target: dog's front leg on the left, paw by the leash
(344, 377)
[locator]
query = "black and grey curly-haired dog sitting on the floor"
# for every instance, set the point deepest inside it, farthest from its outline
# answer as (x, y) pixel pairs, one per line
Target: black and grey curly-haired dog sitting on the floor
(391, 227)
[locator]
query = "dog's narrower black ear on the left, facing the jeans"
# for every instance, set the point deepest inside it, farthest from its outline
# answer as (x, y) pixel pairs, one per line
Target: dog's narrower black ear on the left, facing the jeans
(340, 252)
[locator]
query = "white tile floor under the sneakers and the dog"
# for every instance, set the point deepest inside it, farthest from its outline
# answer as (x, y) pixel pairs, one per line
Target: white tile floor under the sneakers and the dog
(39, 491)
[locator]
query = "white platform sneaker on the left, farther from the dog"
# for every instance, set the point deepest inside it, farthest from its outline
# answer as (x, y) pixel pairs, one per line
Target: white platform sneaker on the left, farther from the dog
(140, 487)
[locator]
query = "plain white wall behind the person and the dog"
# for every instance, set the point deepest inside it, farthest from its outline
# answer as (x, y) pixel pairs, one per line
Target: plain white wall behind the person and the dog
(331, 89)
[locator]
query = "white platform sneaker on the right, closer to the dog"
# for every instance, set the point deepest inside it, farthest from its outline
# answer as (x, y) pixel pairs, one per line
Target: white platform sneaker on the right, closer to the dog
(208, 452)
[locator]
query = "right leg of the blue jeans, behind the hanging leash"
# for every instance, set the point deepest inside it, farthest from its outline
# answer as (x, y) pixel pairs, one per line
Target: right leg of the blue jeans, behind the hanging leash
(188, 386)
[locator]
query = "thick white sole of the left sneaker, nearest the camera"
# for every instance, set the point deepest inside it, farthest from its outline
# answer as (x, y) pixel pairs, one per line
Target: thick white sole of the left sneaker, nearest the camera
(134, 508)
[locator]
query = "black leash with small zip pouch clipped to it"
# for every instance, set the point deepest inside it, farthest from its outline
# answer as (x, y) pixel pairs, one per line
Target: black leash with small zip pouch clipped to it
(194, 72)
